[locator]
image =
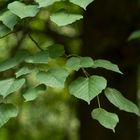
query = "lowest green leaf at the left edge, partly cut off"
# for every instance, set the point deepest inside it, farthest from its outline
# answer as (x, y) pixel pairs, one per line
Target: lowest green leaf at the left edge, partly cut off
(7, 111)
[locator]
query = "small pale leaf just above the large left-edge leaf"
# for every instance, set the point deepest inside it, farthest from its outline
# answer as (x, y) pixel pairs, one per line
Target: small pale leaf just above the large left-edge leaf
(23, 71)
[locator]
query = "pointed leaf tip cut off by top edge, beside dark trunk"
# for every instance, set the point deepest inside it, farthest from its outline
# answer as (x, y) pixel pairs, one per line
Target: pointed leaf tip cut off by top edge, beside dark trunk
(82, 3)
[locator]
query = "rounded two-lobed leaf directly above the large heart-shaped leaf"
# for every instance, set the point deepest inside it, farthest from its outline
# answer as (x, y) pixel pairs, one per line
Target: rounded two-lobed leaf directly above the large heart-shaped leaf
(75, 63)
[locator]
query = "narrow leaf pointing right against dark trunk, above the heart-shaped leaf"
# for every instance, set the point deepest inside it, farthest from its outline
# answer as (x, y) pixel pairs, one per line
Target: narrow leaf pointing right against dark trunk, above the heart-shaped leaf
(101, 63)
